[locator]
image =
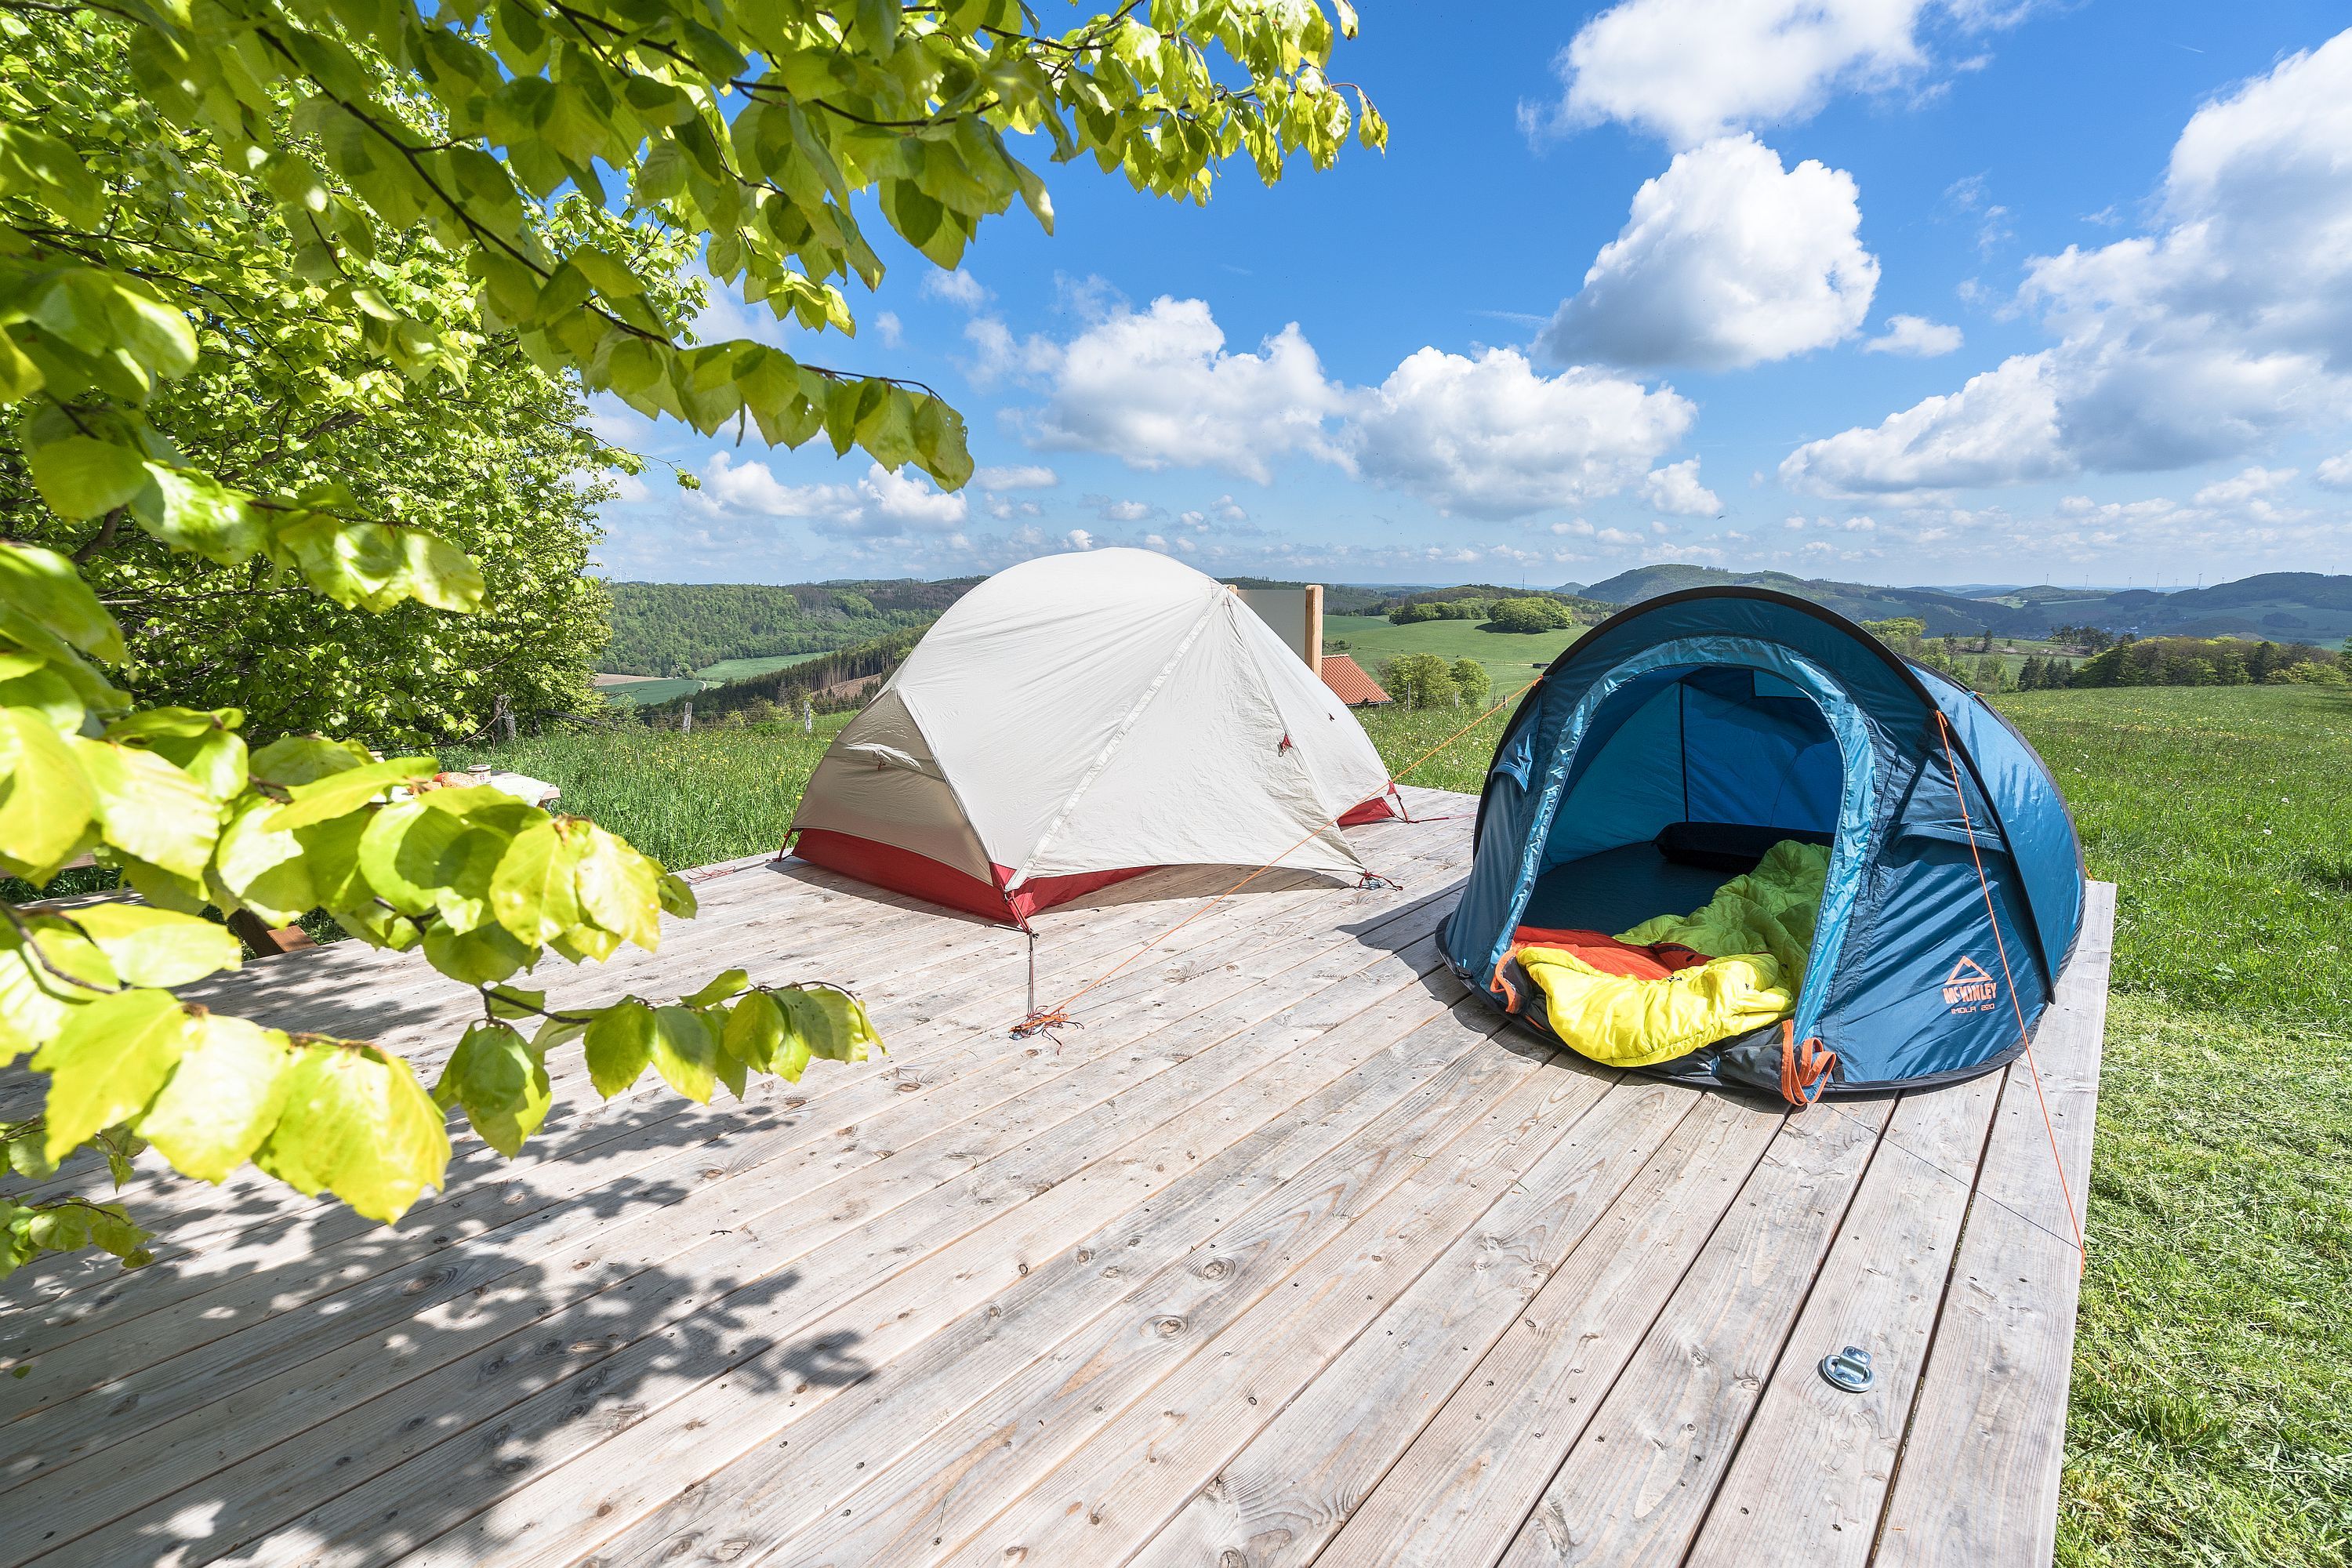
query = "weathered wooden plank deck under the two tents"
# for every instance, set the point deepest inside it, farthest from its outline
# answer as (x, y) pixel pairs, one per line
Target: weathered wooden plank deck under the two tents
(1288, 1257)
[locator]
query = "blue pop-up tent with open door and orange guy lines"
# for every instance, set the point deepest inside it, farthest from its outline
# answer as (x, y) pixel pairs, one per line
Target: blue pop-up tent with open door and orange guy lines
(1683, 737)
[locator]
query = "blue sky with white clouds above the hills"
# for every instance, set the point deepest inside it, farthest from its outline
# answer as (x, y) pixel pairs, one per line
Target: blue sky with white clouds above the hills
(1885, 290)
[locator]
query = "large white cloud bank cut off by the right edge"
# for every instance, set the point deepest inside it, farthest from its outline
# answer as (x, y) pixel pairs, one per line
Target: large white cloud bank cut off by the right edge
(2205, 340)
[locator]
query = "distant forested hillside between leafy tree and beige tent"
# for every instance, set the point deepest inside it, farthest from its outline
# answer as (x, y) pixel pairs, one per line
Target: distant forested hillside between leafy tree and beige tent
(679, 629)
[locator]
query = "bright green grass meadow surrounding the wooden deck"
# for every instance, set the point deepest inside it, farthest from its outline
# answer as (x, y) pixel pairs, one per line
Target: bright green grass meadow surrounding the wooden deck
(2212, 1409)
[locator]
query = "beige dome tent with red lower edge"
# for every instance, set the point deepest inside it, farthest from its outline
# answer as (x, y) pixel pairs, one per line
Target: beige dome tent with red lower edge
(1085, 718)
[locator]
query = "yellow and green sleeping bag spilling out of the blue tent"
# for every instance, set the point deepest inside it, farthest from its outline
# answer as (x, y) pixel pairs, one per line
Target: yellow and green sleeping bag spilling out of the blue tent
(1760, 927)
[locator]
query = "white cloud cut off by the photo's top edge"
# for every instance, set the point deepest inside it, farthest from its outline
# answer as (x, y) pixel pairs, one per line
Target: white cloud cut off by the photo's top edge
(1695, 69)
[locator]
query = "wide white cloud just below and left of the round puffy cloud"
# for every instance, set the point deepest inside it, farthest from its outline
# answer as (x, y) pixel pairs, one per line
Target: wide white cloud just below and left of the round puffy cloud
(1495, 438)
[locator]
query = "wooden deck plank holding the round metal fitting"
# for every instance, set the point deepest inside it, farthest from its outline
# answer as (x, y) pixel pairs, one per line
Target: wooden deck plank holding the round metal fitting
(1812, 1470)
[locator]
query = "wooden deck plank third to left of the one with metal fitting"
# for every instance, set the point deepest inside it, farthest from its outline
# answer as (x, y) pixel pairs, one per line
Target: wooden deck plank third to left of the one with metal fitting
(1288, 1492)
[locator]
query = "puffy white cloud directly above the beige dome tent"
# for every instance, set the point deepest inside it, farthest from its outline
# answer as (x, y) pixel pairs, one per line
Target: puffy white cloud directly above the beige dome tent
(1158, 389)
